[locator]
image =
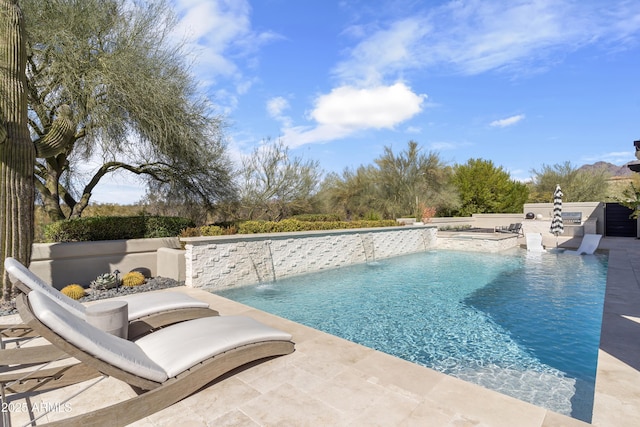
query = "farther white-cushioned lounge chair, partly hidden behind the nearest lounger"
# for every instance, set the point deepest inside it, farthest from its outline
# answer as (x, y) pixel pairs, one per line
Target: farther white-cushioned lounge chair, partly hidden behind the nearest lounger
(146, 311)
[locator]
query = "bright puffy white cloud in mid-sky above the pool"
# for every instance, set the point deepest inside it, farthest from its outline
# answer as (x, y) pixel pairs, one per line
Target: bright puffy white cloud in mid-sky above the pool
(347, 110)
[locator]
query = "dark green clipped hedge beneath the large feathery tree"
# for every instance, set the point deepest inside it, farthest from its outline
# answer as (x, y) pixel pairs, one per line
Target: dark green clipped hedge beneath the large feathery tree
(115, 228)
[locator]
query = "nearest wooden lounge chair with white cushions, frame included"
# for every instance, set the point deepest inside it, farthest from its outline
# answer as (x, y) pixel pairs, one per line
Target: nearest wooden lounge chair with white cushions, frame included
(165, 366)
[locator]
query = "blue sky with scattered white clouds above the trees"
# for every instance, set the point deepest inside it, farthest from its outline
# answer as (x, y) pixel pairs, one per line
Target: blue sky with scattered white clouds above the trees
(521, 83)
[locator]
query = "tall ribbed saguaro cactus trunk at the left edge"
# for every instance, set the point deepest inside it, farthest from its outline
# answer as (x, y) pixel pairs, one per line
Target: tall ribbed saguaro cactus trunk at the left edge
(17, 152)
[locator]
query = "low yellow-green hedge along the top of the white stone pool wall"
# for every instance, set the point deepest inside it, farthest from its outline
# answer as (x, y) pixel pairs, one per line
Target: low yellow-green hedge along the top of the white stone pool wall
(288, 225)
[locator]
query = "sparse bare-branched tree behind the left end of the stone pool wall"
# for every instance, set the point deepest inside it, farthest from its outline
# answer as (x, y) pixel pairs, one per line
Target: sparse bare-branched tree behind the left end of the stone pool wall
(274, 185)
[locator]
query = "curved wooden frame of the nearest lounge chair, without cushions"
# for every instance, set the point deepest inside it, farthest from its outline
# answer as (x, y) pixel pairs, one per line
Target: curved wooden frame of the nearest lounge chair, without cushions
(153, 396)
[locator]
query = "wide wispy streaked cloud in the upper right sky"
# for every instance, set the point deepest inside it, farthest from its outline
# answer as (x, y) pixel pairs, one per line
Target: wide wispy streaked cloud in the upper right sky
(477, 36)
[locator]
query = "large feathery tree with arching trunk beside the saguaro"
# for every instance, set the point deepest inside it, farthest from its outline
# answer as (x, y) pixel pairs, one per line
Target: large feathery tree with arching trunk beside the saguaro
(110, 85)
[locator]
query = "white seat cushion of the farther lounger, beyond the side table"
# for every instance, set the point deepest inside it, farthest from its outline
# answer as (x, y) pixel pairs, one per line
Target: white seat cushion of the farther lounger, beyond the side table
(146, 304)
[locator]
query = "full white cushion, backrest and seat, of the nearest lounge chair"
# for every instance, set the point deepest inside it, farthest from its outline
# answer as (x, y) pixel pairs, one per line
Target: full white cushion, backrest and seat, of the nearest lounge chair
(162, 354)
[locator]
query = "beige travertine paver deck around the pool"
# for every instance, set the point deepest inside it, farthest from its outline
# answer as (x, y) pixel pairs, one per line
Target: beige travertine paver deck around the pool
(331, 381)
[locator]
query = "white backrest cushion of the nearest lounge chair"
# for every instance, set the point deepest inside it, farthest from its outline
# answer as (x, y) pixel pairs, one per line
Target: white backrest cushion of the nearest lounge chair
(116, 351)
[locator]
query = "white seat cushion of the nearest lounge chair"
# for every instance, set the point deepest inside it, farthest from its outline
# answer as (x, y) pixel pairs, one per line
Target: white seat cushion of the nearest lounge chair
(183, 345)
